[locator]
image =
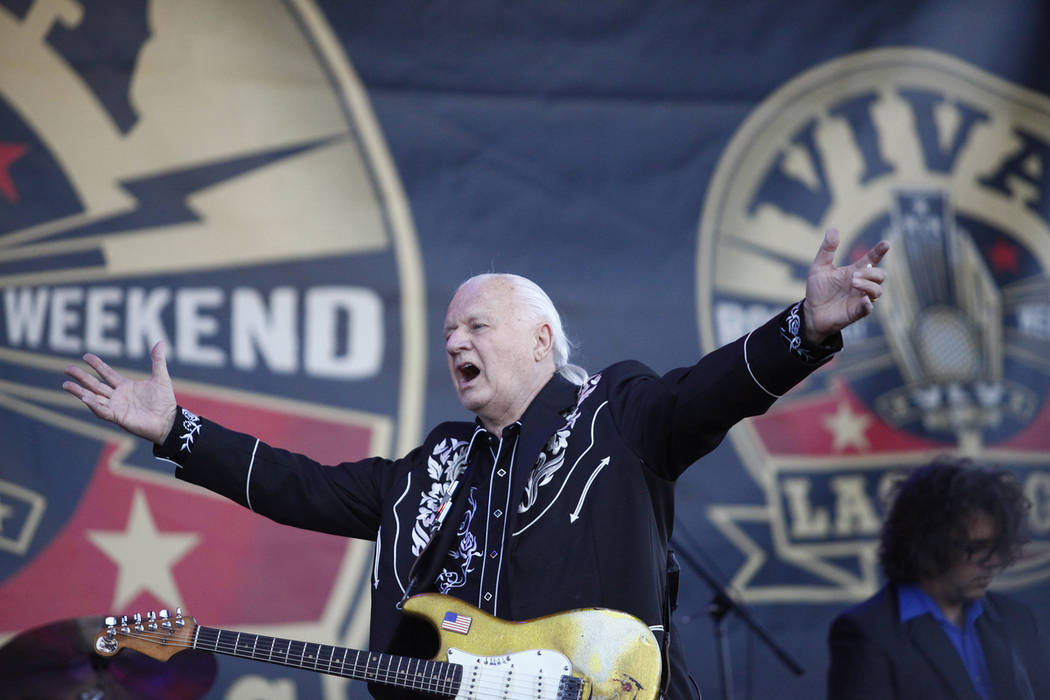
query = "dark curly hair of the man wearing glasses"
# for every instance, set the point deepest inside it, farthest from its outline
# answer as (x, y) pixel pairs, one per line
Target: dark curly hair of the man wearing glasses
(927, 527)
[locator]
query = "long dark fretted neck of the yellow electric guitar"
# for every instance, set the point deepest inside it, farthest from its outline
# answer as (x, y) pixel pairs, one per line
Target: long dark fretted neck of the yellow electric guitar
(436, 677)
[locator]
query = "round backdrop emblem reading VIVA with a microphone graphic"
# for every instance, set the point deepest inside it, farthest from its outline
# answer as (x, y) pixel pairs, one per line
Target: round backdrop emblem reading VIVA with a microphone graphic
(952, 165)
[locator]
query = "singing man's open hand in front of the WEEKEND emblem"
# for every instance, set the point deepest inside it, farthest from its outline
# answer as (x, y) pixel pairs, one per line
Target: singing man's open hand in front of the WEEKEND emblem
(144, 408)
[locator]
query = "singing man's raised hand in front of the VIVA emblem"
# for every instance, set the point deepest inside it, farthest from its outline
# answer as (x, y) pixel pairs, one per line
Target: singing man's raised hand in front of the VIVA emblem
(836, 298)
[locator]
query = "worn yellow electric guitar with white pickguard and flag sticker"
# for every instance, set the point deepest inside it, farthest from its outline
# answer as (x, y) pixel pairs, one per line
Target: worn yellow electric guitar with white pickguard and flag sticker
(585, 654)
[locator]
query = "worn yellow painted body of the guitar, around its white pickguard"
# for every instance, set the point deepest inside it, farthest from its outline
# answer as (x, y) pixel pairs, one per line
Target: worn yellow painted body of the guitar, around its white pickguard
(614, 653)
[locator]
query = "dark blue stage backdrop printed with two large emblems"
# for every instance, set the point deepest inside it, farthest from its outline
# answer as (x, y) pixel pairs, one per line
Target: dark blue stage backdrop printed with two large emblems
(289, 193)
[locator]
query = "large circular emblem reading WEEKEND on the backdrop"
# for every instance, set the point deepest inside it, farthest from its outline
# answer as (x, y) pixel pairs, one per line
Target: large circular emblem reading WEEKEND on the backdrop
(209, 175)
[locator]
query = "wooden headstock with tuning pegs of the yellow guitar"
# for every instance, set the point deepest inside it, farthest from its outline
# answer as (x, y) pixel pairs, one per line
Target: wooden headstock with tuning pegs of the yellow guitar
(159, 635)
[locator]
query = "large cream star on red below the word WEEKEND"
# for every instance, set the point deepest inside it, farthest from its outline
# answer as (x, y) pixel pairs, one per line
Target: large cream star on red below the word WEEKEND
(144, 557)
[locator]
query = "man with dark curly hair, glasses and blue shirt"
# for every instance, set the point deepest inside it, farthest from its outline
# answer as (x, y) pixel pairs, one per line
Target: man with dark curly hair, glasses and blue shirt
(935, 631)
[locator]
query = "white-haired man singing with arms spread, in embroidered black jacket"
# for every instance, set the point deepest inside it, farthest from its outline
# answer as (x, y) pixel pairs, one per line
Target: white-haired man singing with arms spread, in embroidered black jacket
(559, 497)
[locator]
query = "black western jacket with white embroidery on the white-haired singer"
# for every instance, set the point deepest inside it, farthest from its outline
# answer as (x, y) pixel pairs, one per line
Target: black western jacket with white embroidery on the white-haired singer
(596, 466)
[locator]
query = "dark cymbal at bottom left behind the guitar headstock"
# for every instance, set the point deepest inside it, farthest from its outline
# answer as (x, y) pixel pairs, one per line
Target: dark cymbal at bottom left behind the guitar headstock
(58, 661)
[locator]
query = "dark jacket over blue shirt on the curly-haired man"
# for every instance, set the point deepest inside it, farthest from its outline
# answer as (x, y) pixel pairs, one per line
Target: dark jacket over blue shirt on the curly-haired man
(877, 656)
